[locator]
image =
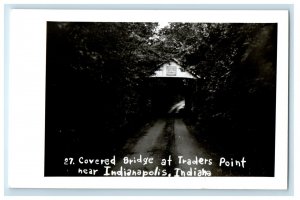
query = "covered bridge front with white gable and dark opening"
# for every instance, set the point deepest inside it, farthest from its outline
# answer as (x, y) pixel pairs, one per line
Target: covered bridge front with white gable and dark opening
(171, 89)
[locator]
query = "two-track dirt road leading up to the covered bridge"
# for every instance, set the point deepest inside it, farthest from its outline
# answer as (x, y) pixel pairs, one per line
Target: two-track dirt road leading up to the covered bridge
(167, 148)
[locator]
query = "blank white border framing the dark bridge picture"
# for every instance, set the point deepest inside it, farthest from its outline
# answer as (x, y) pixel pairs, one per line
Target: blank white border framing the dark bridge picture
(27, 99)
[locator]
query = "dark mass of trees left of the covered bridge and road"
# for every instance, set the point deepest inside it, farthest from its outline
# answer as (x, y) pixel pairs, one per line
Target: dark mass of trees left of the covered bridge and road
(95, 81)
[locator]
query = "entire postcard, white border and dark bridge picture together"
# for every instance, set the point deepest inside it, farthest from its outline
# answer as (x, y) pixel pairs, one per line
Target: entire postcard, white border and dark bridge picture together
(149, 99)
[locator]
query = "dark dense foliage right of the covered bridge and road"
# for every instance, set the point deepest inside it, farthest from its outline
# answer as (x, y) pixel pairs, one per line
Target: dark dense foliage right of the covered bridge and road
(234, 105)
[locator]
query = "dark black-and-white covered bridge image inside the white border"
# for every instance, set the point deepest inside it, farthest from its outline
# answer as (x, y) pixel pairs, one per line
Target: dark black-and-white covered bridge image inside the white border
(160, 99)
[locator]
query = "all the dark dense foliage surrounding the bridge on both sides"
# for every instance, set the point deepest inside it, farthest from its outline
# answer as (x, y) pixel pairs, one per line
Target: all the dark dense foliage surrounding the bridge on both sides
(98, 85)
